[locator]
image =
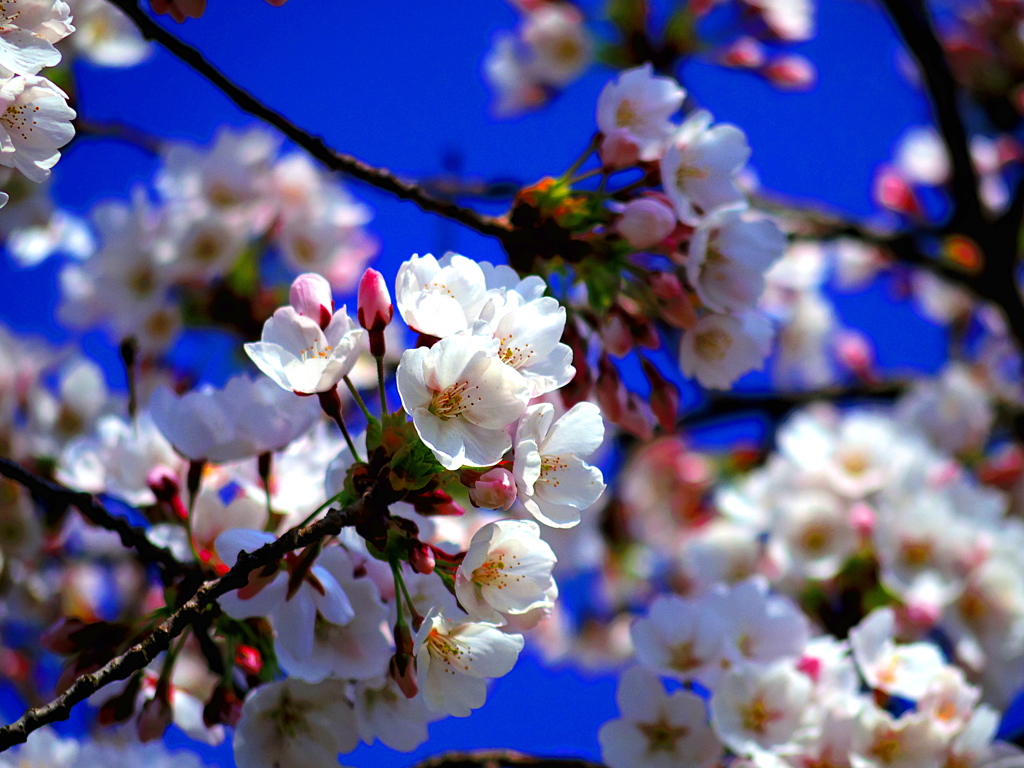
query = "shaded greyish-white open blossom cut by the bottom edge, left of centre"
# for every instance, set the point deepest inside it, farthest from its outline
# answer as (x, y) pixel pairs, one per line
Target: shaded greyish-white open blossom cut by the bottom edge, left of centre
(292, 724)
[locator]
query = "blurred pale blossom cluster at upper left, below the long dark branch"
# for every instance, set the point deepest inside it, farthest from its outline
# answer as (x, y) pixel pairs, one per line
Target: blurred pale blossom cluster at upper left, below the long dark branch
(160, 267)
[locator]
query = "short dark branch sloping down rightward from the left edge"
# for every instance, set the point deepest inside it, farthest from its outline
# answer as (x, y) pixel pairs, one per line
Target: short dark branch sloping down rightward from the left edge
(52, 493)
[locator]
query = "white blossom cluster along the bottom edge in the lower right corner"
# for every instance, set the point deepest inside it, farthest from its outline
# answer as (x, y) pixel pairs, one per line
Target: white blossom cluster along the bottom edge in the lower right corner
(781, 698)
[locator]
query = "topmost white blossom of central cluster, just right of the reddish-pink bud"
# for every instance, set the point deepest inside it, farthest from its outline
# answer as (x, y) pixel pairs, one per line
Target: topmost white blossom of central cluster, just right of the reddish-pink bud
(440, 298)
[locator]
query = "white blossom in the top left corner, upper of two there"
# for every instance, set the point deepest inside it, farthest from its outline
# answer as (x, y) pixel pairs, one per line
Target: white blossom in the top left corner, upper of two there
(28, 31)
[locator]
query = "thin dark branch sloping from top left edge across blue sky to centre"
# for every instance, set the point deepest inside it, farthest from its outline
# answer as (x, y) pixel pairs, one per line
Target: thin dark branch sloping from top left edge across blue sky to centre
(379, 178)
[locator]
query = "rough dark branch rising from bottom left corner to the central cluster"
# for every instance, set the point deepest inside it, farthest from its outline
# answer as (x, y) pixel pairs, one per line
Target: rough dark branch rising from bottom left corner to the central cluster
(140, 656)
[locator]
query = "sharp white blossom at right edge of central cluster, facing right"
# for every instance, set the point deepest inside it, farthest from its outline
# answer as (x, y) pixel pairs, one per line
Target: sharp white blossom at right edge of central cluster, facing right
(556, 485)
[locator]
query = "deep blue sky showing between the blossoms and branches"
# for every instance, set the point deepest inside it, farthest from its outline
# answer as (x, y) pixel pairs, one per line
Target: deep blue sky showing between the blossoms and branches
(400, 86)
